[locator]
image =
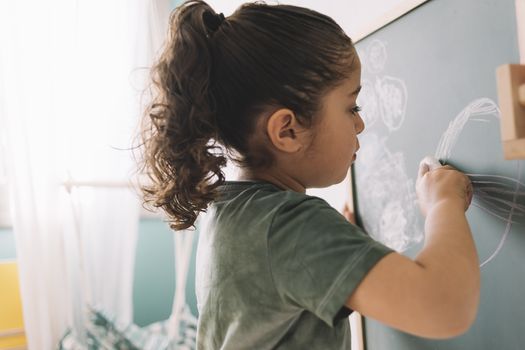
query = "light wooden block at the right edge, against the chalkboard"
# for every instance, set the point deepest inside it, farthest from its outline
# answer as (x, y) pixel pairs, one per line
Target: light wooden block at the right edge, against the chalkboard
(510, 78)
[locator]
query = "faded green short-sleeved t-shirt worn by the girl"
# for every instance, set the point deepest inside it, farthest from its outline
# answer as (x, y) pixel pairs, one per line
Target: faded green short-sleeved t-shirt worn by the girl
(274, 269)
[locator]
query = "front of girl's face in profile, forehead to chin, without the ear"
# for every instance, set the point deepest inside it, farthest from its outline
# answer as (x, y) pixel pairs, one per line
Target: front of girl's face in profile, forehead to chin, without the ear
(335, 142)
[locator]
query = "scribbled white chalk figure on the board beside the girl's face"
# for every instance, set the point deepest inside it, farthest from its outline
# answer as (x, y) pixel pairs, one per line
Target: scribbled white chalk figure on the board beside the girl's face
(388, 210)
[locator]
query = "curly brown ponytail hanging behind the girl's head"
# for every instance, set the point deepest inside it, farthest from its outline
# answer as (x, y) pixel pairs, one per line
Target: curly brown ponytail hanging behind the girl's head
(181, 157)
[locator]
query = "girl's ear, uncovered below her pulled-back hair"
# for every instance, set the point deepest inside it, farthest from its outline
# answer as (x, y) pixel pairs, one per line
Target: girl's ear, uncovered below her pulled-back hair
(285, 132)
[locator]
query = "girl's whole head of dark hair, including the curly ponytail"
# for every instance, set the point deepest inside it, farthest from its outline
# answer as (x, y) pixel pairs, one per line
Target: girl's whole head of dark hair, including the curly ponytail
(211, 85)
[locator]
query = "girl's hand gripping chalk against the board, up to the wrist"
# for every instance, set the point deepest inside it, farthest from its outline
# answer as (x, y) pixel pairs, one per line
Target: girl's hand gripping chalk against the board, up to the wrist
(437, 183)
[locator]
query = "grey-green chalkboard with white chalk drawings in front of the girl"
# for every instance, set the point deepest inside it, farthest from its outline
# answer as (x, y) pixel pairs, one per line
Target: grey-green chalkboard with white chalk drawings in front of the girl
(429, 88)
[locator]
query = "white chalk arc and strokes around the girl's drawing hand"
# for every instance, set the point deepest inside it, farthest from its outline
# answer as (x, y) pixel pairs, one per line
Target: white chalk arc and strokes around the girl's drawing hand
(500, 196)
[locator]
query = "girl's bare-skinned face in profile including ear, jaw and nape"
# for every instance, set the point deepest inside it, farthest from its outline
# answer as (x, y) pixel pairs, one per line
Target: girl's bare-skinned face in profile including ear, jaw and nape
(318, 156)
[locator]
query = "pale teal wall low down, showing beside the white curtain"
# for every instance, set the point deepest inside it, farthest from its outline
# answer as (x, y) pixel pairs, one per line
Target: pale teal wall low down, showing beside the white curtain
(154, 275)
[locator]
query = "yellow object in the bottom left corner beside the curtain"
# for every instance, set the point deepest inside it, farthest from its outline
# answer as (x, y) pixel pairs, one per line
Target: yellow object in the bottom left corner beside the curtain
(11, 321)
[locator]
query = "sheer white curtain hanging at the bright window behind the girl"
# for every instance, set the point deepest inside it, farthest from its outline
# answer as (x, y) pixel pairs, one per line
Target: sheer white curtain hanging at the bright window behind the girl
(70, 85)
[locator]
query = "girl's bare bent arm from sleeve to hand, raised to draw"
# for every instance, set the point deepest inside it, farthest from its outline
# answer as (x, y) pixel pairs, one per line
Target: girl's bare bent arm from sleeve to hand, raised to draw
(435, 295)
